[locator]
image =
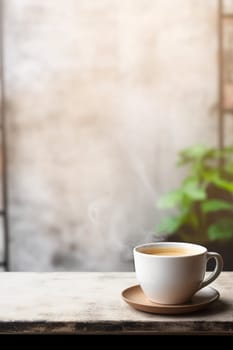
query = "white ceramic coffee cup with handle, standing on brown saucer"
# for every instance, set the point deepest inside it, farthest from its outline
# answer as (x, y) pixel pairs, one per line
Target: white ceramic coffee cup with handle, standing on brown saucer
(169, 279)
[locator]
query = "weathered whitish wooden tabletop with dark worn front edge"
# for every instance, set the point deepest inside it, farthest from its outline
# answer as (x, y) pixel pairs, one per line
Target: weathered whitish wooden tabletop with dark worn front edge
(80, 303)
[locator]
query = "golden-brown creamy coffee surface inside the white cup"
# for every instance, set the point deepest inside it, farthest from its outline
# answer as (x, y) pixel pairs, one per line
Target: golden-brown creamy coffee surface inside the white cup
(168, 251)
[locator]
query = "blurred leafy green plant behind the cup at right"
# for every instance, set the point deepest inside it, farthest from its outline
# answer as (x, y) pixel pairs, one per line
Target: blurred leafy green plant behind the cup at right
(203, 204)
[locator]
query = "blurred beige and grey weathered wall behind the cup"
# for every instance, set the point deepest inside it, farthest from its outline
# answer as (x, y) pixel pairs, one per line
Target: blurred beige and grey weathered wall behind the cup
(100, 97)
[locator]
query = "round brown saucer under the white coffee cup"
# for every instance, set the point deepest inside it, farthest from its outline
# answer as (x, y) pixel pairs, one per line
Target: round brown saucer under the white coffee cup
(135, 297)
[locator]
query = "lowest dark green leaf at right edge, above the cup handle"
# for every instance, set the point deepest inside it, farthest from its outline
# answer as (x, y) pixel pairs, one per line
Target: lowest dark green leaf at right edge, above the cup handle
(223, 229)
